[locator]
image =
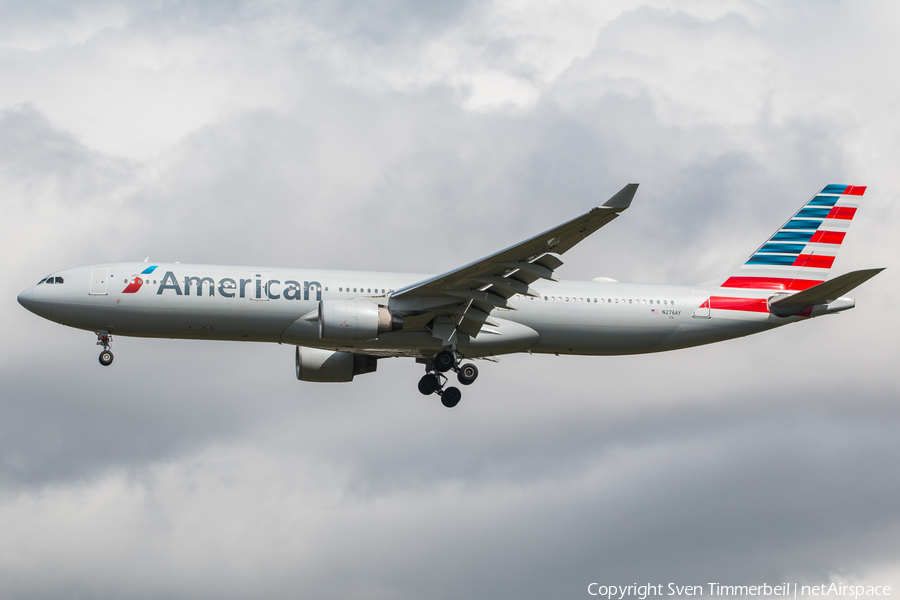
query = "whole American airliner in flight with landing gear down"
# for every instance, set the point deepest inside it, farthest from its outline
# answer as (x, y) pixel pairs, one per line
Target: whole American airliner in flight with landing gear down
(342, 322)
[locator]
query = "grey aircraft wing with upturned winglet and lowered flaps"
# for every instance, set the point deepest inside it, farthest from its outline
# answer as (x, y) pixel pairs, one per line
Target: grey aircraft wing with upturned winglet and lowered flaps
(468, 294)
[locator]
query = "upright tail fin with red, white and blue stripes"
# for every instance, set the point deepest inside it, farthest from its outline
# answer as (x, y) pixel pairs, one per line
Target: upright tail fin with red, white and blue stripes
(799, 255)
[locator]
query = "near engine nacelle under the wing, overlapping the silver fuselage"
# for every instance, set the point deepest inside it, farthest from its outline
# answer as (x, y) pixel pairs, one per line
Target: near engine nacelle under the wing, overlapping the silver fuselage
(355, 321)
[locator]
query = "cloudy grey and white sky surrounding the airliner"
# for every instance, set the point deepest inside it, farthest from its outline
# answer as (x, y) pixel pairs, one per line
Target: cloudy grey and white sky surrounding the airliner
(417, 136)
